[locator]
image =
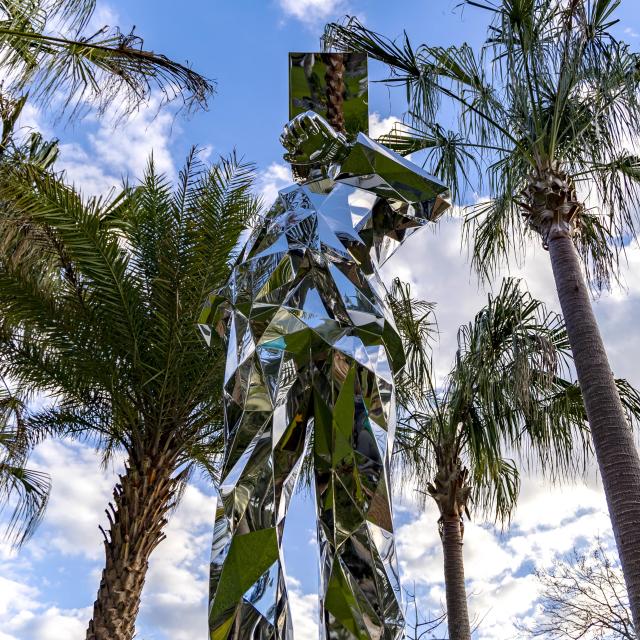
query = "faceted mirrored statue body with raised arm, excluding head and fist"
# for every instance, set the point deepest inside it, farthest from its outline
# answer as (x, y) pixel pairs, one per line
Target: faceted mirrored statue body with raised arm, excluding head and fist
(312, 350)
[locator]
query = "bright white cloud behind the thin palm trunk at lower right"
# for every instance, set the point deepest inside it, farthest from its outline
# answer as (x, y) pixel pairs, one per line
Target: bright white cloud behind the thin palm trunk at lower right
(549, 523)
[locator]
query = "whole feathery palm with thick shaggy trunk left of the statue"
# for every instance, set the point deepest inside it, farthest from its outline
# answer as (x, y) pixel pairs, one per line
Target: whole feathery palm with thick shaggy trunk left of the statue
(100, 300)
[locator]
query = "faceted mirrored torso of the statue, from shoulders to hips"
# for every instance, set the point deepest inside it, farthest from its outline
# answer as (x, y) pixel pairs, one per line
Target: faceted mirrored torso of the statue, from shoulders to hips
(307, 275)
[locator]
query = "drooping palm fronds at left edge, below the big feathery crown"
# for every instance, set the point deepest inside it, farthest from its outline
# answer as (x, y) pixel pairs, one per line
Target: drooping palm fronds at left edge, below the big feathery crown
(26, 489)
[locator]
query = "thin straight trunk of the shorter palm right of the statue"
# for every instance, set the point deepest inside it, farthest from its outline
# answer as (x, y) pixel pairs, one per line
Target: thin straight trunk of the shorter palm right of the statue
(457, 612)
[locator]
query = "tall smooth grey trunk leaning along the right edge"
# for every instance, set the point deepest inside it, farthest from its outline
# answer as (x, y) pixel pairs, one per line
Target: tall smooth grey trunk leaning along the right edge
(613, 441)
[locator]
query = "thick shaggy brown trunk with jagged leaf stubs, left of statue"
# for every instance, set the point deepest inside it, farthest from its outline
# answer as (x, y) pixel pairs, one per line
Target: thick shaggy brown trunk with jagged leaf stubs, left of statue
(137, 518)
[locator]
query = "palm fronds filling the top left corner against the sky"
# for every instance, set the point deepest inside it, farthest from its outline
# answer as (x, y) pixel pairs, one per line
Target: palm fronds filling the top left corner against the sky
(44, 51)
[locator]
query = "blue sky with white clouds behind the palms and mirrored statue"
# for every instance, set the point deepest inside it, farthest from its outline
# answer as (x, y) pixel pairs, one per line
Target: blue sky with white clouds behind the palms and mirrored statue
(47, 590)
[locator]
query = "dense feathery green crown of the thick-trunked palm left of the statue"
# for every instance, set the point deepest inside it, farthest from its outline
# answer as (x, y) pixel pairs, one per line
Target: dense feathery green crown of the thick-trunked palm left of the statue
(107, 323)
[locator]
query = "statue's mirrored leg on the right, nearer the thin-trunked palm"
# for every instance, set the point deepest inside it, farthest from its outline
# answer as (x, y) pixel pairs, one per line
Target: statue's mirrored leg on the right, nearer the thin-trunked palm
(359, 590)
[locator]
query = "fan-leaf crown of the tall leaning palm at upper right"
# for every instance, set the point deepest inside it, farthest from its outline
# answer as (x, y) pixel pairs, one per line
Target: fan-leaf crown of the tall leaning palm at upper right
(550, 87)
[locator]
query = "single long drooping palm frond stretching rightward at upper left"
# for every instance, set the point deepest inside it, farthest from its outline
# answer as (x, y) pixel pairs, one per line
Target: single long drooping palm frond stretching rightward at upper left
(100, 70)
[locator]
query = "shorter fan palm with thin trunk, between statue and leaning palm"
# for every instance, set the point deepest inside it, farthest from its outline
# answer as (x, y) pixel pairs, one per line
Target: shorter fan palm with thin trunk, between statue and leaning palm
(504, 400)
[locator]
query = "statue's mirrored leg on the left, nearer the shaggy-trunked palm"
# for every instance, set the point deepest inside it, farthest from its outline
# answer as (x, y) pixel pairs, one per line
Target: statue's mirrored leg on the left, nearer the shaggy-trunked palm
(264, 452)
